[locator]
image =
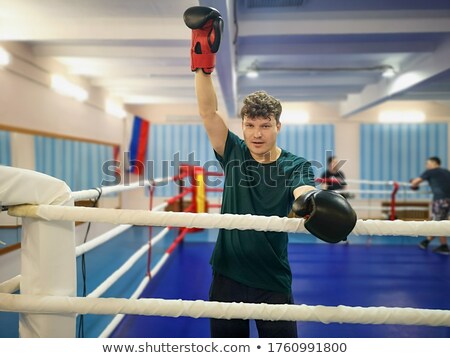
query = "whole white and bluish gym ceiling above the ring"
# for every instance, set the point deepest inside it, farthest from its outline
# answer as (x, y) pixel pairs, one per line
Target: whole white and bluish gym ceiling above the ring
(324, 51)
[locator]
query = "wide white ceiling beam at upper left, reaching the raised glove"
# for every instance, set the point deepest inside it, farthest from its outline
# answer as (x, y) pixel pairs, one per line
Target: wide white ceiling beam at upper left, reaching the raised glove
(43, 29)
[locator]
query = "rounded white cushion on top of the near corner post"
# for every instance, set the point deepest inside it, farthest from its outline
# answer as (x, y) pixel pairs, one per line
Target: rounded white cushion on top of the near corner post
(22, 186)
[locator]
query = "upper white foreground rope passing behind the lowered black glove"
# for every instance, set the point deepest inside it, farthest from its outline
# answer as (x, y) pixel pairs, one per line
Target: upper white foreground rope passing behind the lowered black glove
(222, 221)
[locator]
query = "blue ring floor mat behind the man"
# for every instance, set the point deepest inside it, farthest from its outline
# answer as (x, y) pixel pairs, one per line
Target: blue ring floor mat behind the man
(352, 275)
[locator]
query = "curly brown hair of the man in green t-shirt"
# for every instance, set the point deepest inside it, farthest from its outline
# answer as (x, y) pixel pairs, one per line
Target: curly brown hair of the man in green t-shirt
(261, 104)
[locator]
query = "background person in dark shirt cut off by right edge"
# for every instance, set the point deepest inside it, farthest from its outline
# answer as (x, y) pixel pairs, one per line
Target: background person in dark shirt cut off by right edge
(439, 180)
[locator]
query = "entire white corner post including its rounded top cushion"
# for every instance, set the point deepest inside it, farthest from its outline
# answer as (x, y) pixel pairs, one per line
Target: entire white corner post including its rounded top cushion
(48, 261)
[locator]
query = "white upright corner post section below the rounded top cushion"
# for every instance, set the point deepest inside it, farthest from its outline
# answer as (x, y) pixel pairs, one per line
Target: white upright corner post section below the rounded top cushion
(48, 268)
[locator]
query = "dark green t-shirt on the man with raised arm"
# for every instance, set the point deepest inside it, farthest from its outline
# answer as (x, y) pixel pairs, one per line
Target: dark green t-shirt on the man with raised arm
(255, 258)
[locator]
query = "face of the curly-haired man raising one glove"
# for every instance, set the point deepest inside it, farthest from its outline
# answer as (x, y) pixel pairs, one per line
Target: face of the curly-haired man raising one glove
(260, 134)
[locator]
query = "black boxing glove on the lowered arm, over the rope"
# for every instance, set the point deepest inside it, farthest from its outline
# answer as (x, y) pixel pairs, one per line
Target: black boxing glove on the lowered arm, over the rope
(328, 215)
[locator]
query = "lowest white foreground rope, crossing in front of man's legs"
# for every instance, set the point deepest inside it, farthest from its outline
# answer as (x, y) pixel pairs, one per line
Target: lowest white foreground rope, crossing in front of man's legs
(221, 310)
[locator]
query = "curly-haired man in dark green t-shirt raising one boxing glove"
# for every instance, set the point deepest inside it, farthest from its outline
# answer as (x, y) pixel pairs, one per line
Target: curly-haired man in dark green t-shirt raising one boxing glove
(260, 179)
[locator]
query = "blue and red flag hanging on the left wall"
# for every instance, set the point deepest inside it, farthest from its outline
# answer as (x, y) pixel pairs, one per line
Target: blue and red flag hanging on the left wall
(138, 145)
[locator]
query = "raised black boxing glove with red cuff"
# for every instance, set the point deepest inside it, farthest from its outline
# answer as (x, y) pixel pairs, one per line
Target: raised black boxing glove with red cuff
(207, 25)
